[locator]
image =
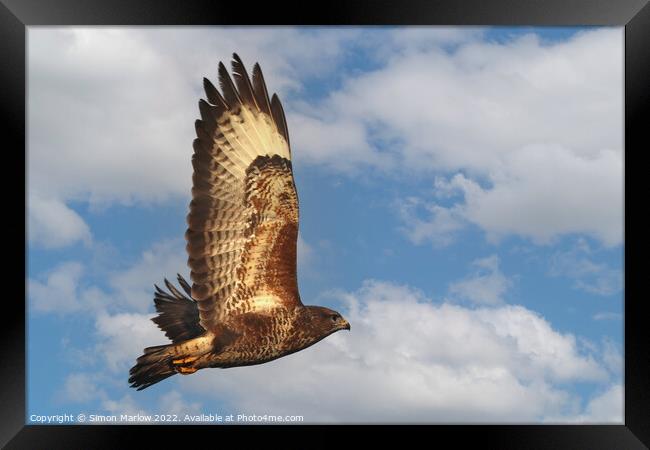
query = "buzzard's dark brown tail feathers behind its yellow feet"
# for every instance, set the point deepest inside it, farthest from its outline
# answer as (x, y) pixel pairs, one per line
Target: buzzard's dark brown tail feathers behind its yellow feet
(153, 366)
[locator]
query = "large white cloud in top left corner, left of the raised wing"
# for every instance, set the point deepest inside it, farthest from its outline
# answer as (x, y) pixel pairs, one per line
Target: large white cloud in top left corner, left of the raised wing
(102, 102)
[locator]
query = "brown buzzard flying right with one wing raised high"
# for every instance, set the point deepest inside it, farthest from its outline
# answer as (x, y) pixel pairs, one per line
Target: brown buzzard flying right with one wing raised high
(243, 307)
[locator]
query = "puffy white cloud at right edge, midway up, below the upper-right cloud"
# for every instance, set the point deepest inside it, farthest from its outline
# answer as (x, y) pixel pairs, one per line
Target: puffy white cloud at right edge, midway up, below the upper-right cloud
(547, 191)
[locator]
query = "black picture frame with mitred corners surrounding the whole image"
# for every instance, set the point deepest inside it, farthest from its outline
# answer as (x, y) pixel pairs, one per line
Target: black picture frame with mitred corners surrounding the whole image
(634, 15)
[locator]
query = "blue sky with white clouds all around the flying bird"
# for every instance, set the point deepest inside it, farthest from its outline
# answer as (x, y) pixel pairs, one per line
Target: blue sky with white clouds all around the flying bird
(461, 204)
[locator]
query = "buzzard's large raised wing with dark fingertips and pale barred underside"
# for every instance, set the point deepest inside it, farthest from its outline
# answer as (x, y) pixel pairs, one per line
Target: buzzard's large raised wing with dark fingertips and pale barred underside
(243, 220)
